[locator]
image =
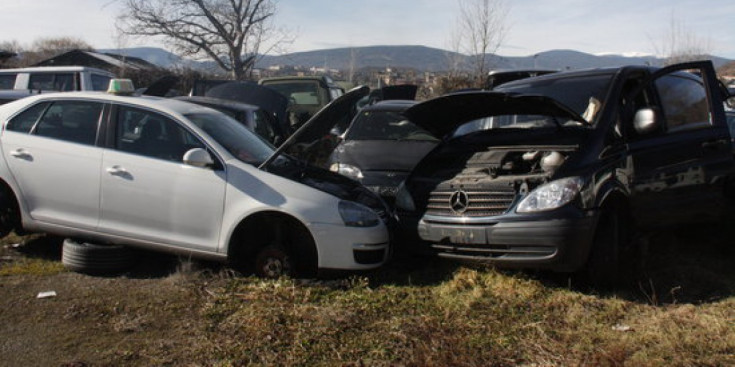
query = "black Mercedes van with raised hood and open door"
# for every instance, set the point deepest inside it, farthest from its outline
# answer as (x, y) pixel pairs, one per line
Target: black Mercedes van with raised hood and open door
(563, 167)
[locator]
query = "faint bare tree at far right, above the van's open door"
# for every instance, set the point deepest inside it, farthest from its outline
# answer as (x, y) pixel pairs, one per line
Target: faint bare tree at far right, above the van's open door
(680, 44)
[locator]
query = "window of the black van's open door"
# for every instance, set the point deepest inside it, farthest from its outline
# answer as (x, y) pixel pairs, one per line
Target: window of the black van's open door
(684, 100)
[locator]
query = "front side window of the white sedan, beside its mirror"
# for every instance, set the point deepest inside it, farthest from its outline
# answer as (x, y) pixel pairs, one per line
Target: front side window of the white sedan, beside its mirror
(152, 135)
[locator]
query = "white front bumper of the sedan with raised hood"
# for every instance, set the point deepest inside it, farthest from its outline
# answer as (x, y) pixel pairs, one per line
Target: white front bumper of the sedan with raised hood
(351, 248)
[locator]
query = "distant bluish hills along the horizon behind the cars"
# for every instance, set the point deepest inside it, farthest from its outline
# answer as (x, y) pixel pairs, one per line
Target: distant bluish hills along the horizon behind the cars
(415, 57)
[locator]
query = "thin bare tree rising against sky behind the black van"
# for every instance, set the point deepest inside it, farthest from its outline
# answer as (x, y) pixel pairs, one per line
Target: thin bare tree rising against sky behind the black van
(482, 29)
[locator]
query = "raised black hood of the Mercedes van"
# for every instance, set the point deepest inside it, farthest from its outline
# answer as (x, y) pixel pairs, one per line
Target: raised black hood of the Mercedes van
(440, 116)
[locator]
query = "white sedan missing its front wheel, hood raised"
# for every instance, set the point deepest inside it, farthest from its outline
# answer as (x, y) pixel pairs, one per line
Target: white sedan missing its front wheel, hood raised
(173, 176)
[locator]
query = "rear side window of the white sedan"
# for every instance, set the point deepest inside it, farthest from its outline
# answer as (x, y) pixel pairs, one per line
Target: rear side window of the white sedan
(73, 121)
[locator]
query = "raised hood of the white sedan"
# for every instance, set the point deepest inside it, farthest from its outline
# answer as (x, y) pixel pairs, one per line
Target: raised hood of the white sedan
(319, 125)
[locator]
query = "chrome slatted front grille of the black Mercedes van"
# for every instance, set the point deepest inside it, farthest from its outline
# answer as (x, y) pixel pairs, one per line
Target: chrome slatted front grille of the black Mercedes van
(480, 202)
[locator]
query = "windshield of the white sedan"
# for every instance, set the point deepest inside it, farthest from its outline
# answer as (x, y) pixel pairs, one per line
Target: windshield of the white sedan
(233, 136)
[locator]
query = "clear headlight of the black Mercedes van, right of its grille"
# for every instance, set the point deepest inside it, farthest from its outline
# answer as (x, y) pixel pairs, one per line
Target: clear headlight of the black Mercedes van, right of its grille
(551, 195)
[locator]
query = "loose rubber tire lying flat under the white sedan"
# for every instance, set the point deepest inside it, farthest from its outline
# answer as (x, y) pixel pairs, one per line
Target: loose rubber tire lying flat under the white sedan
(88, 258)
